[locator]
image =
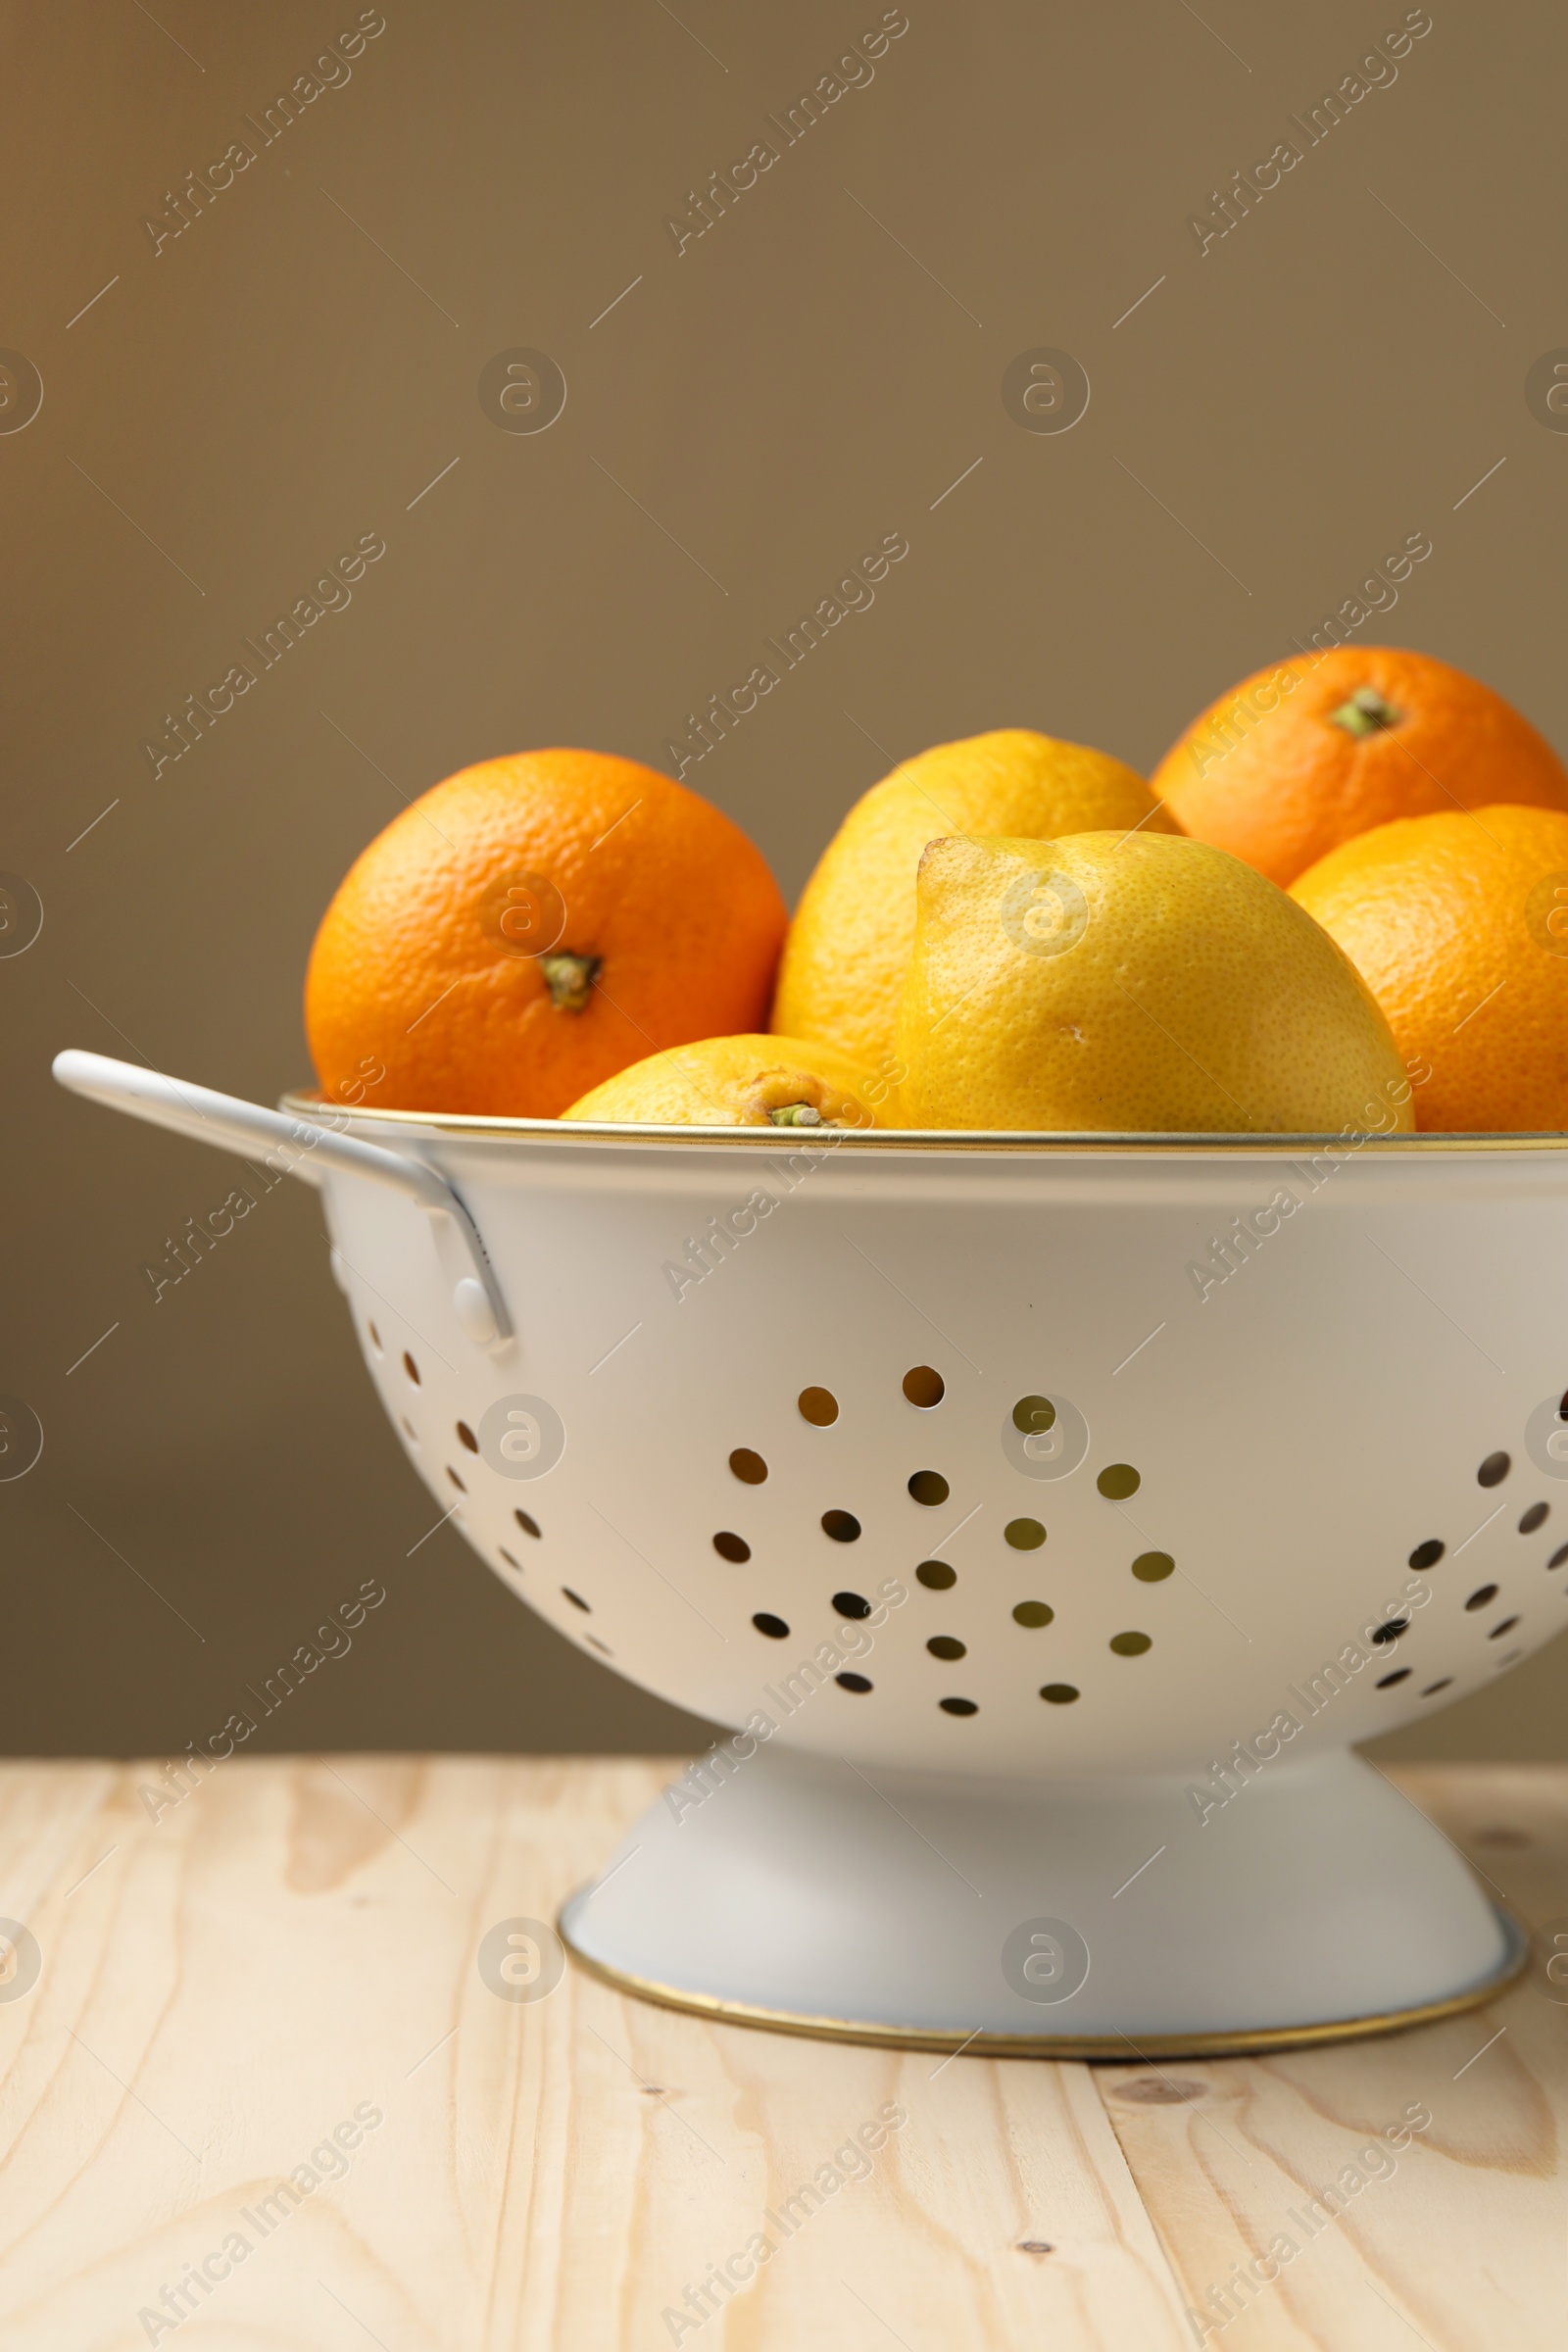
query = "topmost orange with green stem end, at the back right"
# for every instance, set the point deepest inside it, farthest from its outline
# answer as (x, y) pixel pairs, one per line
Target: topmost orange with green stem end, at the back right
(1313, 751)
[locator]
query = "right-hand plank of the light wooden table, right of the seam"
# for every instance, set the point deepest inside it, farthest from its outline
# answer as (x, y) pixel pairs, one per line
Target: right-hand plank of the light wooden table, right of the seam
(1466, 2243)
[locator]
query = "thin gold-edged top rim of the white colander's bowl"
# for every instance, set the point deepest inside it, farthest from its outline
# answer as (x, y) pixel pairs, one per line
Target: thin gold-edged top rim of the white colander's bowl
(909, 1140)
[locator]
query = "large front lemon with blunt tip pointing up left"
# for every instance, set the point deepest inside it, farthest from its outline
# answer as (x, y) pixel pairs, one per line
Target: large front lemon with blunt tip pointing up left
(1132, 984)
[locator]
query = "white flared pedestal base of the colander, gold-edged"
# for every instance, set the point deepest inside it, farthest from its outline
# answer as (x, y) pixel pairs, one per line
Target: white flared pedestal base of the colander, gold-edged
(1057, 1918)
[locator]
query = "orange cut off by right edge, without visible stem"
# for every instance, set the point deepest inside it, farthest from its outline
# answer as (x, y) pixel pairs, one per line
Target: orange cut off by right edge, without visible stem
(1461, 930)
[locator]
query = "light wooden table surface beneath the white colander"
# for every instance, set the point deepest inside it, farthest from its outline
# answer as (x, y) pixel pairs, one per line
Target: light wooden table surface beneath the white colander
(295, 1949)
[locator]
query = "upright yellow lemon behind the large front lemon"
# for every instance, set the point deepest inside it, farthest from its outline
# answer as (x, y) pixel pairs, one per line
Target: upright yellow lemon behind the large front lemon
(850, 944)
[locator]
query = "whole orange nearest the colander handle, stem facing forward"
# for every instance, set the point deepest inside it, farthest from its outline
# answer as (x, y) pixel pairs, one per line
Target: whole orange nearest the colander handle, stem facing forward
(535, 926)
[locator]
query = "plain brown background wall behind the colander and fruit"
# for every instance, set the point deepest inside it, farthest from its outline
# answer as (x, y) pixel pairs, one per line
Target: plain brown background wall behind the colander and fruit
(756, 413)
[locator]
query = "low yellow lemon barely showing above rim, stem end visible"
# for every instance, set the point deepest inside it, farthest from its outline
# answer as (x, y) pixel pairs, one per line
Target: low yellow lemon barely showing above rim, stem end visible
(739, 1083)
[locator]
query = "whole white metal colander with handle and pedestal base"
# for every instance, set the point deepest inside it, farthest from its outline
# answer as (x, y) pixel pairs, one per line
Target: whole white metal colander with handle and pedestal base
(1043, 1516)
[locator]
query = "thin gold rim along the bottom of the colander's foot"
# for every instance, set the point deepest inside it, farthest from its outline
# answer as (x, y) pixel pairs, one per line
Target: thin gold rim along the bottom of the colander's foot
(1087, 2047)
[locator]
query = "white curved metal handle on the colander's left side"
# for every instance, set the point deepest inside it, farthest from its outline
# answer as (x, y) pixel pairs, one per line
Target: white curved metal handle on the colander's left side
(307, 1147)
